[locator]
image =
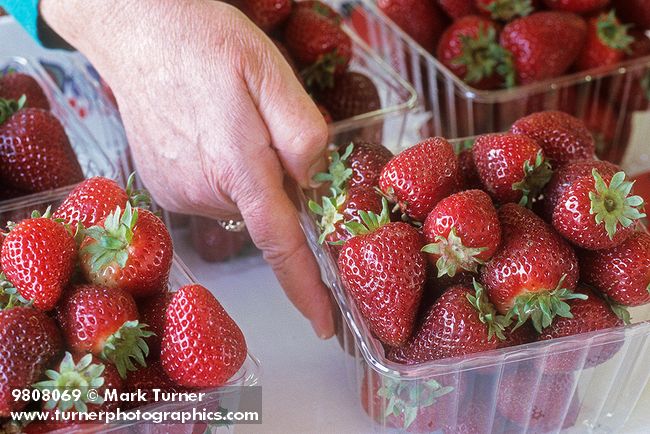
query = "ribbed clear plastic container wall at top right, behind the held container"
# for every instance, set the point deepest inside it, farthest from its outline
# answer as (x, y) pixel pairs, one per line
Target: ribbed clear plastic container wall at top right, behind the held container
(606, 98)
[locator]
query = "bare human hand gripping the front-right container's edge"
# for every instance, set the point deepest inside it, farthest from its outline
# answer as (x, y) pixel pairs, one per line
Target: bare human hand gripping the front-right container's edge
(215, 118)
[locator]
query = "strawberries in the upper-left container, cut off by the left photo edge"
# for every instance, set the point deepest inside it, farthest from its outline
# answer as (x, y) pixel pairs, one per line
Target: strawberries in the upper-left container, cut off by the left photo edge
(35, 151)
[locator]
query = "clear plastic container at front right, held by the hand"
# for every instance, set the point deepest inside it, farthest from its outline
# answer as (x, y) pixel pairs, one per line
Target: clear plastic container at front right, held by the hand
(482, 389)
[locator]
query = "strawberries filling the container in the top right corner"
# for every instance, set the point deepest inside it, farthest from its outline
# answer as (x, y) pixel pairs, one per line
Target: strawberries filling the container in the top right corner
(502, 43)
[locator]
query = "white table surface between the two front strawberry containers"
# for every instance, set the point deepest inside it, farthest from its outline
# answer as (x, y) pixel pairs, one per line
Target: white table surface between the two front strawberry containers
(305, 387)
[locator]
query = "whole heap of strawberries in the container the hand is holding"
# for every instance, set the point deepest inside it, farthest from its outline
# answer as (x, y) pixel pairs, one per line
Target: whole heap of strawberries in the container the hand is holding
(461, 263)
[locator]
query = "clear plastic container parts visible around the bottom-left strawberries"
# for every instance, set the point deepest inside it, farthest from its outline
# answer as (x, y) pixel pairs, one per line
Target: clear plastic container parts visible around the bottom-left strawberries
(248, 375)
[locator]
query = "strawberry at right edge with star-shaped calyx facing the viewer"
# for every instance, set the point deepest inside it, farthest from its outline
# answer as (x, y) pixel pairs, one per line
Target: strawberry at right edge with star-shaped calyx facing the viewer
(598, 212)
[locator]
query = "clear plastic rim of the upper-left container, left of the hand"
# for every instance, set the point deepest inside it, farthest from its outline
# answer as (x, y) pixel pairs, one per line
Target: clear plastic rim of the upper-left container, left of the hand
(94, 158)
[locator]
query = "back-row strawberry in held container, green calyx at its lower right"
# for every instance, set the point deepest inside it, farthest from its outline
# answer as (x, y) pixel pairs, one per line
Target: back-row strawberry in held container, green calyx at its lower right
(512, 167)
